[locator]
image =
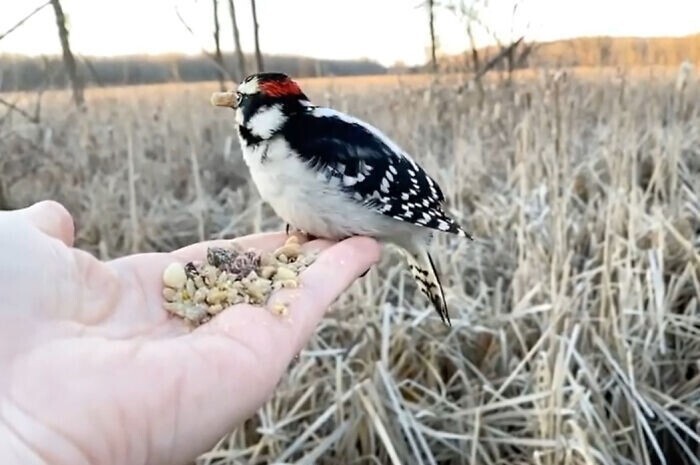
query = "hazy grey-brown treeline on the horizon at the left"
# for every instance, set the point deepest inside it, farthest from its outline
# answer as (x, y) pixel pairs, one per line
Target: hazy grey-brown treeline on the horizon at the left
(27, 73)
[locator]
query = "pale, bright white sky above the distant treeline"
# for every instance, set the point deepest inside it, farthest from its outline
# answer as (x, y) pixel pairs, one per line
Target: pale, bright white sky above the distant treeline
(383, 30)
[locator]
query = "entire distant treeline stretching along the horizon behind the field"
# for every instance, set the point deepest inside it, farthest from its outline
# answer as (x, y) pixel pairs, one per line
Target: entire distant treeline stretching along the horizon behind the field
(26, 73)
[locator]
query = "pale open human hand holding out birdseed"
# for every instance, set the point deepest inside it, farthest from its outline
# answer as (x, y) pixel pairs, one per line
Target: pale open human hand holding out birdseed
(93, 371)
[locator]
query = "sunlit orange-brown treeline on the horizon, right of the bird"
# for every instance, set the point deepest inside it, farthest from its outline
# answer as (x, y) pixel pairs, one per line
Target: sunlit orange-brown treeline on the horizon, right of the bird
(593, 51)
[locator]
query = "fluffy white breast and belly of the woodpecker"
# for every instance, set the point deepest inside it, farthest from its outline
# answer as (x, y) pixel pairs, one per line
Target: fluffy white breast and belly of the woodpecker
(306, 201)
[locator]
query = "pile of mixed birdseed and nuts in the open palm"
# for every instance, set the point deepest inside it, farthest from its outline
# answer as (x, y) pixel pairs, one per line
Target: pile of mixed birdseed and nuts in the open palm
(230, 275)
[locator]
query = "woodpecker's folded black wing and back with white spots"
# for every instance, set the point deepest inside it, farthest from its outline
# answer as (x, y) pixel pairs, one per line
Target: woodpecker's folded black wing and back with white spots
(369, 167)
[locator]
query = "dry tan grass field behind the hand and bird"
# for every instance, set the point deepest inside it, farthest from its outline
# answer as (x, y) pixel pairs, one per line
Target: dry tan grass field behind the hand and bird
(576, 312)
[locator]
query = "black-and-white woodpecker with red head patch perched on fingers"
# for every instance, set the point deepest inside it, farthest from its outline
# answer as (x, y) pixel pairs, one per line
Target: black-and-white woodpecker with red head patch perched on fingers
(333, 176)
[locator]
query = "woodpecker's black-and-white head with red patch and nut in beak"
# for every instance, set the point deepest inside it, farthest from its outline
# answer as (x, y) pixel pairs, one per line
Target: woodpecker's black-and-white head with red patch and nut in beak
(263, 103)
